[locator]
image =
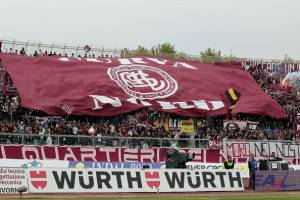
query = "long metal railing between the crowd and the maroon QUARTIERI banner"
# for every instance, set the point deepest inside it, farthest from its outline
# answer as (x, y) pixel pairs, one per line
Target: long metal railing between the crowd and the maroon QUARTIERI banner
(108, 141)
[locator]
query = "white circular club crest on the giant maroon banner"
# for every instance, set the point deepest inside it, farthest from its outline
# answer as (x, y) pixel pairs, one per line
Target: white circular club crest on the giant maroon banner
(143, 82)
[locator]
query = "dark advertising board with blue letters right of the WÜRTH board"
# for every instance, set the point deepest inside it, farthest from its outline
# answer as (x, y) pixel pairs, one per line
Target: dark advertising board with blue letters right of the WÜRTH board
(277, 180)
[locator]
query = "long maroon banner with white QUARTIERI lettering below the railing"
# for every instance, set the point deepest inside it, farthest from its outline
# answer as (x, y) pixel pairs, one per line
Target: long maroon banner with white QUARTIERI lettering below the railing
(99, 154)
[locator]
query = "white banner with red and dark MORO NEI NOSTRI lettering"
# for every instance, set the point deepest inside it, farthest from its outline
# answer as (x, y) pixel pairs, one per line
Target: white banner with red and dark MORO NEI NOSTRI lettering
(262, 149)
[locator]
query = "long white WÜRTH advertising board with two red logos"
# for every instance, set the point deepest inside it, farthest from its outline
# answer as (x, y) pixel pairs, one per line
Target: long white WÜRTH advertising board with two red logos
(114, 180)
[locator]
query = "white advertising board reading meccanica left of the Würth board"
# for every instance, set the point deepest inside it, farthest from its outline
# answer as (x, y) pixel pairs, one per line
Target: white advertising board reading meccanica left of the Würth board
(11, 179)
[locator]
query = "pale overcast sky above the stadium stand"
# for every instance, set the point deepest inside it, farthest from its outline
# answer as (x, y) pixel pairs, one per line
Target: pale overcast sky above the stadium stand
(252, 28)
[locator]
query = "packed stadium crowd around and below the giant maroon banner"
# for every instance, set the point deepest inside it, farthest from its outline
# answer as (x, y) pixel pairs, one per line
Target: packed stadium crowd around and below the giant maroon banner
(147, 122)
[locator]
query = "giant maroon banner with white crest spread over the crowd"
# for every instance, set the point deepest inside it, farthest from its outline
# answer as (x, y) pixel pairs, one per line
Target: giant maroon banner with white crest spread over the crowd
(105, 87)
